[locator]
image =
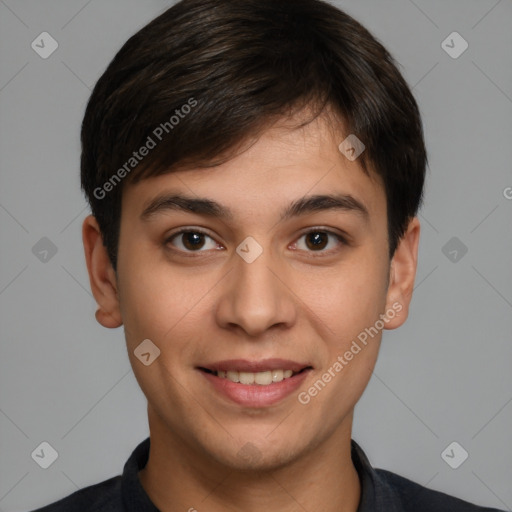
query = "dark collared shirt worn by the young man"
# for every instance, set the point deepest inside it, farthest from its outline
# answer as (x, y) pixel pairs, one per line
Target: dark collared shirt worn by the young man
(381, 491)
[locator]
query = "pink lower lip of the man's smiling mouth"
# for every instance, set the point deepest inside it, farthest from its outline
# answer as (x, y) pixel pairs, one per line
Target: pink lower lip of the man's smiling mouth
(255, 395)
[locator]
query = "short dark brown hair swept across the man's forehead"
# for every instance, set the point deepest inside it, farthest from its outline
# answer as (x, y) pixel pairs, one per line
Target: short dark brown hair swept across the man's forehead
(238, 65)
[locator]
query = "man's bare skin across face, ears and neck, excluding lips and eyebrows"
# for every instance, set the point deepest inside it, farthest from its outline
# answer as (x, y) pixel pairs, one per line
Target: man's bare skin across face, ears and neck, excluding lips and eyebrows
(212, 305)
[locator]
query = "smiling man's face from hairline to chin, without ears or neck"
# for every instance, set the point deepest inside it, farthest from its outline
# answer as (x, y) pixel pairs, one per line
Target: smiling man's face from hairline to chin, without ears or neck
(210, 301)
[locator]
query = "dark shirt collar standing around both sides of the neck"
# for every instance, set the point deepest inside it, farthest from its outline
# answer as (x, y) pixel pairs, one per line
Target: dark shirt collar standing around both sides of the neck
(376, 493)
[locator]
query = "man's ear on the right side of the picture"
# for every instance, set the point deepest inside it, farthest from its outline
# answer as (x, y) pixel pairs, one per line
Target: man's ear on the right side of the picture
(402, 275)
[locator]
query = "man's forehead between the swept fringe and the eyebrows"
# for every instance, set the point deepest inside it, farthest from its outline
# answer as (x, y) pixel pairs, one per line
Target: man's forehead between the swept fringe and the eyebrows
(277, 168)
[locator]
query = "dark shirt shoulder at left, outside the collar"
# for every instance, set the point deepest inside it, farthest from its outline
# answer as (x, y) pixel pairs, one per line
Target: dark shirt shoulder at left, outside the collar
(101, 497)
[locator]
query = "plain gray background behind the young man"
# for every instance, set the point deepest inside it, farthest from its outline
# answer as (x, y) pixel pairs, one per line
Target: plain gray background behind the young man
(444, 376)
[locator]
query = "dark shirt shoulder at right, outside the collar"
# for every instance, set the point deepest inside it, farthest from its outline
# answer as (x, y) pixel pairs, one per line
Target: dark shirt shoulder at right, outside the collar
(418, 498)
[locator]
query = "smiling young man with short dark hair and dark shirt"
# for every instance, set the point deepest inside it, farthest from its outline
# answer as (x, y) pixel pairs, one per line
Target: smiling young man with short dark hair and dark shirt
(254, 169)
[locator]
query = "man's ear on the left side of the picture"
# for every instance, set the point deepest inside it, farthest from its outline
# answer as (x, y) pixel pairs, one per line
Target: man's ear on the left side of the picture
(102, 276)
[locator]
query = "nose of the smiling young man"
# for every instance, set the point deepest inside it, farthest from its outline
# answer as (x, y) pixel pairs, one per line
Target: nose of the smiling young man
(256, 296)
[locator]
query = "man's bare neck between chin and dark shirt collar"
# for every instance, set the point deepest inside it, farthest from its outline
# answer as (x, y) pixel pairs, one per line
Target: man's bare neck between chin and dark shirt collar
(179, 478)
